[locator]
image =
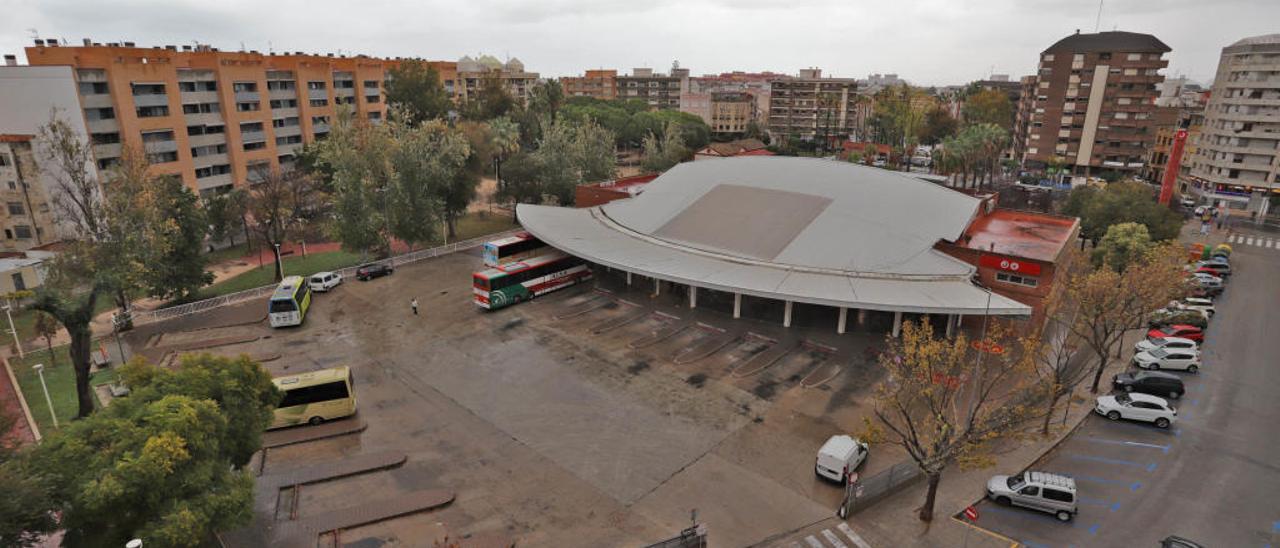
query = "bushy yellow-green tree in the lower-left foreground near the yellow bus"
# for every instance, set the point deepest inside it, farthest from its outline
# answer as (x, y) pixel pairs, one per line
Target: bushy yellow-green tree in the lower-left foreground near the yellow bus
(166, 464)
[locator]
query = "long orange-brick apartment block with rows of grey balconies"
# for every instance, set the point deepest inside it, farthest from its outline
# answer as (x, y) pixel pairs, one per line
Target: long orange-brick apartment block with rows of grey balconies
(217, 120)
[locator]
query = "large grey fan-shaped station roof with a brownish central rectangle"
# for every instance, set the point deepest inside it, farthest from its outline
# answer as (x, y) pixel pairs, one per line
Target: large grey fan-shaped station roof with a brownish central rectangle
(787, 229)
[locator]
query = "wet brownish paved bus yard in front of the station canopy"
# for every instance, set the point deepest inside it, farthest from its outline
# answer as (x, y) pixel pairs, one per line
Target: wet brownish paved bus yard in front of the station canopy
(584, 418)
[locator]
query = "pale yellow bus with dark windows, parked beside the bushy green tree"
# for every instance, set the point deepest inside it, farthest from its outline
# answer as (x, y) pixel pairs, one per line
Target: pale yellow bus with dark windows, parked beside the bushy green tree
(316, 398)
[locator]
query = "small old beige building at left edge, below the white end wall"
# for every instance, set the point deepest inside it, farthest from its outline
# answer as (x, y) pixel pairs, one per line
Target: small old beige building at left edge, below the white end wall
(26, 216)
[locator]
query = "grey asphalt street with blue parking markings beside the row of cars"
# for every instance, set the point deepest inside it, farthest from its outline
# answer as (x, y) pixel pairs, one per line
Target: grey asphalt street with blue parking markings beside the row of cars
(1214, 478)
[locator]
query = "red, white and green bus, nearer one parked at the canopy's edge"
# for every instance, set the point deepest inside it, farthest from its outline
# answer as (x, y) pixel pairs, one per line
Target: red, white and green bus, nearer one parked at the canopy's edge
(518, 282)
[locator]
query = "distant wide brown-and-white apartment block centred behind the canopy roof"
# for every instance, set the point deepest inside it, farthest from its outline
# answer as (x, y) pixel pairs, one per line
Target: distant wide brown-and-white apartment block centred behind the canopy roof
(812, 107)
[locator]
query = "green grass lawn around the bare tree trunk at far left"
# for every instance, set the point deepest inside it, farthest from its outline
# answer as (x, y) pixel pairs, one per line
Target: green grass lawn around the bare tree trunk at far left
(61, 380)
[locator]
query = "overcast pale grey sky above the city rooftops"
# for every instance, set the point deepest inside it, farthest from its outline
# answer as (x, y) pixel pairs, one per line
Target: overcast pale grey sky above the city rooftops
(926, 42)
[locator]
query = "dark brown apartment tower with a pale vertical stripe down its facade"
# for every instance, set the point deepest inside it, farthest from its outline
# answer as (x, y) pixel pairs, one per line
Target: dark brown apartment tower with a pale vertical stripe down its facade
(1095, 102)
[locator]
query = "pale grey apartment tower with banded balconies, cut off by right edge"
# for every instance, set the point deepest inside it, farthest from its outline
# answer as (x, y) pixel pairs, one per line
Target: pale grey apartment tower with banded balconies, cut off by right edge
(1237, 157)
